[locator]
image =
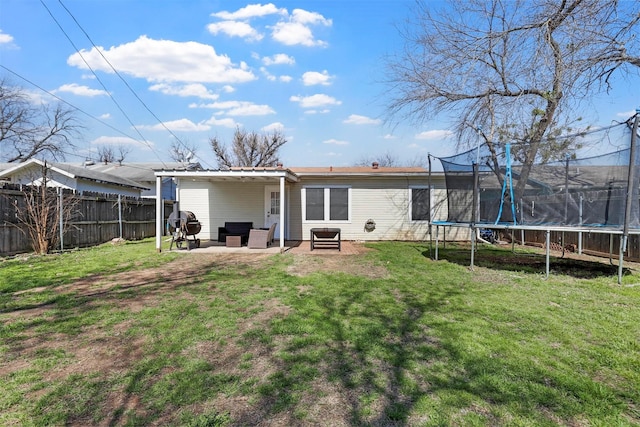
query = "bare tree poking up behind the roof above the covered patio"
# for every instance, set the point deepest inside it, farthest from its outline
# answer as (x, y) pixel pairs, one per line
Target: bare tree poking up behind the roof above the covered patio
(249, 149)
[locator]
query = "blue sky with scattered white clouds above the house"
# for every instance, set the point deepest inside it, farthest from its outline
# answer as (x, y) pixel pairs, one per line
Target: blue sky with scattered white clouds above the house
(313, 69)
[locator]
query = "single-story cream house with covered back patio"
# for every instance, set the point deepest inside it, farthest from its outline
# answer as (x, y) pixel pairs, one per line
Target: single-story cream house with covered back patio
(366, 203)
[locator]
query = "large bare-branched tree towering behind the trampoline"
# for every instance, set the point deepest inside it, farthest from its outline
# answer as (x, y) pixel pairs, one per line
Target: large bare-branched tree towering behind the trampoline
(493, 63)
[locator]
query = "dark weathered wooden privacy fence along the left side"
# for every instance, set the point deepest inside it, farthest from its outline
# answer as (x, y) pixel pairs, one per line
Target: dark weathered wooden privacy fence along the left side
(95, 218)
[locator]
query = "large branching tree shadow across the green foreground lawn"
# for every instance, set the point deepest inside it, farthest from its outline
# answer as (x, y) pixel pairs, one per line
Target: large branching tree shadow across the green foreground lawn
(397, 358)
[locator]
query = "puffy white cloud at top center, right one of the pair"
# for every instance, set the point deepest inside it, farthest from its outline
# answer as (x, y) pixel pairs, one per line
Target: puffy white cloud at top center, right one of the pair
(297, 31)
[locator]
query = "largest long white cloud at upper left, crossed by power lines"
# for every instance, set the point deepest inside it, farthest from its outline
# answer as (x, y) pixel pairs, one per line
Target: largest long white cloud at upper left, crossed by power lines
(165, 61)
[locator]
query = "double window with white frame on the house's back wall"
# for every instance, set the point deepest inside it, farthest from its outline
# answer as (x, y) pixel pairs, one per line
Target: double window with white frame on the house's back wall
(327, 204)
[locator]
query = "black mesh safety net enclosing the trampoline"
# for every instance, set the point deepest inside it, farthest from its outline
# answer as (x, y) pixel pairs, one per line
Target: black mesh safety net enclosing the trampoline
(575, 192)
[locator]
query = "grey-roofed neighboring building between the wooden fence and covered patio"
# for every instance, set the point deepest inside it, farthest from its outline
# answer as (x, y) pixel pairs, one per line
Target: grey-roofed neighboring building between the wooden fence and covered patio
(144, 174)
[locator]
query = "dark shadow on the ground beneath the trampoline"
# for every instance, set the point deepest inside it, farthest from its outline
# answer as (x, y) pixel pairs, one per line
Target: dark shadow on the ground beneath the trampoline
(529, 262)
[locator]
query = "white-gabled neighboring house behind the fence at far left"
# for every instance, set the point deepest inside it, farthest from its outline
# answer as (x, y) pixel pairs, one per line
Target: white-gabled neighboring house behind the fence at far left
(64, 175)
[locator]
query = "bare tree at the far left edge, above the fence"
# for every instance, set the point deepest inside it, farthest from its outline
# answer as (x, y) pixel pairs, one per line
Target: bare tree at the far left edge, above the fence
(28, 130)
